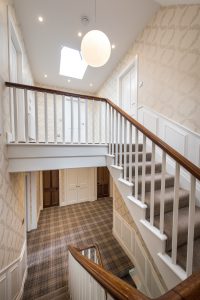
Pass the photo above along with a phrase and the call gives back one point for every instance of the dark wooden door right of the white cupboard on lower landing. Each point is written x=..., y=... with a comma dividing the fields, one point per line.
x=102, y=182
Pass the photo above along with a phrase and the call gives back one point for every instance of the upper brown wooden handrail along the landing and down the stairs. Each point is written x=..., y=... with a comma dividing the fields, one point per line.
x=178, y=157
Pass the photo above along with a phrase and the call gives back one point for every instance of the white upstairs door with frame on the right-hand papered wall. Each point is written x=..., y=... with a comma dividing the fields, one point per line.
x=128, y=89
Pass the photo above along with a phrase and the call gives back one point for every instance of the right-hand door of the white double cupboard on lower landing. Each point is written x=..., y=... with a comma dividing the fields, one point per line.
x=83, y=184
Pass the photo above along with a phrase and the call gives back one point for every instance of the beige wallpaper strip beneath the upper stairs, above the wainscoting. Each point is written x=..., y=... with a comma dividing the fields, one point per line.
x=120, y=207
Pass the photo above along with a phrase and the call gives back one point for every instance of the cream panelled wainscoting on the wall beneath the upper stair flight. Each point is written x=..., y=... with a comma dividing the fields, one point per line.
x=132, y=246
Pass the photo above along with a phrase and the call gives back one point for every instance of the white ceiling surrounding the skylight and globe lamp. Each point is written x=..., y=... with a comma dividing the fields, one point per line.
x=121, y=20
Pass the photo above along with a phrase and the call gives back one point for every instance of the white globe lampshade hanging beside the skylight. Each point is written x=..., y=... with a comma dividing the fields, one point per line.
x=95, y=48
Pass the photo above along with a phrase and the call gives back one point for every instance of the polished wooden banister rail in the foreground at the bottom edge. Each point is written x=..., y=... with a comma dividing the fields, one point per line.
x=120, y=290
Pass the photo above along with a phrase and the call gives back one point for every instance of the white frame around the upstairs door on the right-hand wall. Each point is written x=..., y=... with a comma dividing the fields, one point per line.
x=133, y=63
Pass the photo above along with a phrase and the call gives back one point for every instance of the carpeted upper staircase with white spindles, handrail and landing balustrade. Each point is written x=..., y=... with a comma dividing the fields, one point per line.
x=159, y=185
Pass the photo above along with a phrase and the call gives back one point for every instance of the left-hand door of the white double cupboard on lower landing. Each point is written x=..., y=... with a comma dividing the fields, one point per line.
x=72, y=186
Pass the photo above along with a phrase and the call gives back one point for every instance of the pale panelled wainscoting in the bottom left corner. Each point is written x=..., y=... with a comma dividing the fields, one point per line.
x=13, y=277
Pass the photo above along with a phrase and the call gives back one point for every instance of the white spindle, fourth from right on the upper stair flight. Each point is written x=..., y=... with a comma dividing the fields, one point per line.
x=152, y=185
